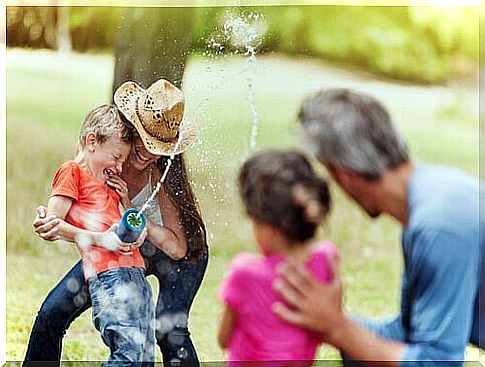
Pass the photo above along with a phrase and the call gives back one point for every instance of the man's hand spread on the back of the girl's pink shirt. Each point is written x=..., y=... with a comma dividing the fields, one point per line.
x=315, y=306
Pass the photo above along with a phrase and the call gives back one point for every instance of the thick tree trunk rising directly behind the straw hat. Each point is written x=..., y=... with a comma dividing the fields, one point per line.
x=153, y=43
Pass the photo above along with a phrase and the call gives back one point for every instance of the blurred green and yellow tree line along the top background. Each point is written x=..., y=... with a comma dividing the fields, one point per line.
x=419, y=44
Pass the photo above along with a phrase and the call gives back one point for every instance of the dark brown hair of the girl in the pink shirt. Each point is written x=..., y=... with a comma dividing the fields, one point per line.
x=281, y=189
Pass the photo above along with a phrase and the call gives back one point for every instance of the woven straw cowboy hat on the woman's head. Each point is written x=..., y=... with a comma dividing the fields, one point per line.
x=158, y=115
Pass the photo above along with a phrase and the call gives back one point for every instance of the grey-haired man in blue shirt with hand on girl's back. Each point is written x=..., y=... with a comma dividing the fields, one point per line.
x=353, y=136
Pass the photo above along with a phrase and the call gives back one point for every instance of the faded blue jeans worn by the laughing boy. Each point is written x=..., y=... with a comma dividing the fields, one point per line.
x=123, y=311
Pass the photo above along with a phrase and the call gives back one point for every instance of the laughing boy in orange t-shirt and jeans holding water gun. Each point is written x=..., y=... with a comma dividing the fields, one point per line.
x=88, y=210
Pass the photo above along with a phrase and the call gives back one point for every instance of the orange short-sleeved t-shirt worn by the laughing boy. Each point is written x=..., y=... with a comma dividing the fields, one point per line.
x=95, y=208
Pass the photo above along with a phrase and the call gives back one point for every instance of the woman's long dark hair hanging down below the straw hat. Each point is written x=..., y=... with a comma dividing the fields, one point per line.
x=180, y=192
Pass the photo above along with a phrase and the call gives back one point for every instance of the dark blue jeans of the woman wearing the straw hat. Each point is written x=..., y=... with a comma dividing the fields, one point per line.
x=178, y=282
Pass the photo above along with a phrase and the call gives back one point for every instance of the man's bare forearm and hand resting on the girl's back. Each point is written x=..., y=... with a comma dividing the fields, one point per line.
x=318, y=307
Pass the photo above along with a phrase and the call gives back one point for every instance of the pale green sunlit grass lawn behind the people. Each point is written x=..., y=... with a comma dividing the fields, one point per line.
x=49, y=94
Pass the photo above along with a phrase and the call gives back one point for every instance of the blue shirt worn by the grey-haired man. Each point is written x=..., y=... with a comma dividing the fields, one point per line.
x=443, y=253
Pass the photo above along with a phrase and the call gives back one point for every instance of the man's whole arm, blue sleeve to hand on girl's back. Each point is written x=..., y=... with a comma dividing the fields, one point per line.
x=444, y=278
